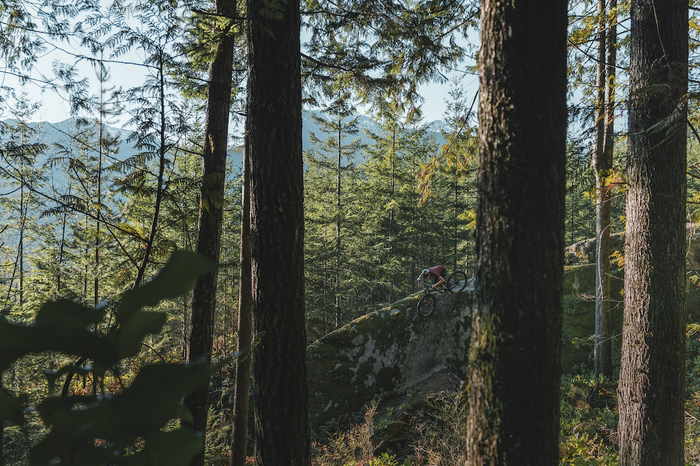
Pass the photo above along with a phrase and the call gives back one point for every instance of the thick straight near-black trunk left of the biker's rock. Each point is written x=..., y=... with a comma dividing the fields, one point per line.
x=273, y=128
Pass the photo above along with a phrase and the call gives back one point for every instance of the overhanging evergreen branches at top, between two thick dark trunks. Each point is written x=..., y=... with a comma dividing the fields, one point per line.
x=387, y=49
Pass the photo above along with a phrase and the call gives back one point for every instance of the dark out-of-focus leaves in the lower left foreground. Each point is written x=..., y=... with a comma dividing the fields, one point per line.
x=130, y=425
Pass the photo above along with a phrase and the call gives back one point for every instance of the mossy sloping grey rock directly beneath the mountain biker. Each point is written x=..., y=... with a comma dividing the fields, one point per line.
x=387, y=352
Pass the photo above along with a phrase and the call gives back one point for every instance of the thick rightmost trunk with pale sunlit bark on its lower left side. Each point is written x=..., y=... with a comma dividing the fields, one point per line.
x=651, y=387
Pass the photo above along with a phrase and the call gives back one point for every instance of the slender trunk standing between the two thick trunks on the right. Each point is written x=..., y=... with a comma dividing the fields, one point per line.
x=602, y=165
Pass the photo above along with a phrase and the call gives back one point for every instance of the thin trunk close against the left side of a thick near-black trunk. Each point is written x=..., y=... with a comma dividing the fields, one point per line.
x=245, y=331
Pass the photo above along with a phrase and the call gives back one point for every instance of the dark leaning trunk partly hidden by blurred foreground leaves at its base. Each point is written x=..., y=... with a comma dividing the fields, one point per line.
x=211, y=208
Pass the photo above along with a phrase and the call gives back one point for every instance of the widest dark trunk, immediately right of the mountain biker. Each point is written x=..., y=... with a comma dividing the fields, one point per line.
x=514, y=362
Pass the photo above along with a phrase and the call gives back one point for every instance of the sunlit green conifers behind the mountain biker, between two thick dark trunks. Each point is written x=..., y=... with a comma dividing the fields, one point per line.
x=365, y=247
